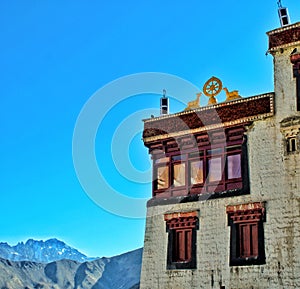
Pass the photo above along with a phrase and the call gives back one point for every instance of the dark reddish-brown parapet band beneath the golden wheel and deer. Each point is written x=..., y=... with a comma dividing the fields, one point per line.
x=205, y=119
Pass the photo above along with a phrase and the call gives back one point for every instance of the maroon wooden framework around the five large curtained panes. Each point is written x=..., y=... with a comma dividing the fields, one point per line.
x=205, y=155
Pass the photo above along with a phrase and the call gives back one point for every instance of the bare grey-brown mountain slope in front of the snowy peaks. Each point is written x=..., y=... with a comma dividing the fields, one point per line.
x=119, y=272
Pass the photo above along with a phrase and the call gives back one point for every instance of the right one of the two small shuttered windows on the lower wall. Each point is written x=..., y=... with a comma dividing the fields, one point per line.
x=246, y=234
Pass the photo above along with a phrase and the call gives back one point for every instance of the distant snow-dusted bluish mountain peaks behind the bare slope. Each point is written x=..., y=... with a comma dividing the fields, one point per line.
x=41, y=251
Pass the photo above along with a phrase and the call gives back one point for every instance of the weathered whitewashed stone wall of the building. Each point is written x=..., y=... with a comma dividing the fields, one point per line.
x=274, y=179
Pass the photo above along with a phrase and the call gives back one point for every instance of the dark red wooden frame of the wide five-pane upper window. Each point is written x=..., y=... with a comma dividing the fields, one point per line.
x=188, y=156
